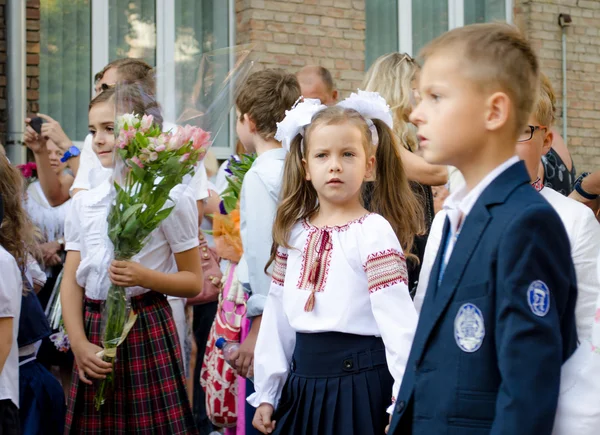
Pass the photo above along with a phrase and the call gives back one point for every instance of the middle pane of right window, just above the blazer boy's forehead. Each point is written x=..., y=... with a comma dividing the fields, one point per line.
x=430, y=20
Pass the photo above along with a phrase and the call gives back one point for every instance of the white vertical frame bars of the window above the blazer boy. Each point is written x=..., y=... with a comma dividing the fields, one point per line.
x=456, y=18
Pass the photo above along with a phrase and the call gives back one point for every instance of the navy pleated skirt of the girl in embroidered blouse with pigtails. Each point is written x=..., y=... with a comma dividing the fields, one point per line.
x=338, y=384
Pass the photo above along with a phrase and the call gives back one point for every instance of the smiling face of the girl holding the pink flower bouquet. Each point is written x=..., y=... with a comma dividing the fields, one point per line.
x=102, y=127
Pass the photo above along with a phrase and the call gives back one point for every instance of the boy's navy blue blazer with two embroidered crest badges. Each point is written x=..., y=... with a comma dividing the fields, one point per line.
x=495, y=330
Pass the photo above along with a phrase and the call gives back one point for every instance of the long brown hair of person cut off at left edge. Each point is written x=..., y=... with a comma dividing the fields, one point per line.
x=17, y=232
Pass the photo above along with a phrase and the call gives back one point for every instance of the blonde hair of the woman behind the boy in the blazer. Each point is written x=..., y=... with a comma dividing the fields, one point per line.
x=392, y=75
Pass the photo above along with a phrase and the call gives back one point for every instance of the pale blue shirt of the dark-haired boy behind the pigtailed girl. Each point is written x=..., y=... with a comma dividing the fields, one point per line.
x=258, y=206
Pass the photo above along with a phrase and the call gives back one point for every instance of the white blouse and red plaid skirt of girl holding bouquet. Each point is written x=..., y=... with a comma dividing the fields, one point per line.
x=149, y=394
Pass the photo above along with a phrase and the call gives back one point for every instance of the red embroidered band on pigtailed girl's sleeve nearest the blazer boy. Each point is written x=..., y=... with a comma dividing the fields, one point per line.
x=385, y=268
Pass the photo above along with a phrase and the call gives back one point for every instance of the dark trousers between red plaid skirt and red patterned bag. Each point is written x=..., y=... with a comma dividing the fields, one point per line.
x=204, y=316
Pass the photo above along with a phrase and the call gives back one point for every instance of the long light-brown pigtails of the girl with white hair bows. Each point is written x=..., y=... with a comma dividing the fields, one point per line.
x=392, y=196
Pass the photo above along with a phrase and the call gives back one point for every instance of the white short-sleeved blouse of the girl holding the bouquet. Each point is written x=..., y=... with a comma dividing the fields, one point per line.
x=86, y=231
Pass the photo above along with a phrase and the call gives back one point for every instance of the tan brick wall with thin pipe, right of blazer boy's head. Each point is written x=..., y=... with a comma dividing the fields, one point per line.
x=539, y=19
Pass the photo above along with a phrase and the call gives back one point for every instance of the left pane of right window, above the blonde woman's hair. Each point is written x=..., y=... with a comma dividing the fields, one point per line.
x=382, y=29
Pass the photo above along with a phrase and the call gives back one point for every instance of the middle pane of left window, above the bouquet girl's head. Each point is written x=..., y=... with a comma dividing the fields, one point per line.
x=132, y=29
